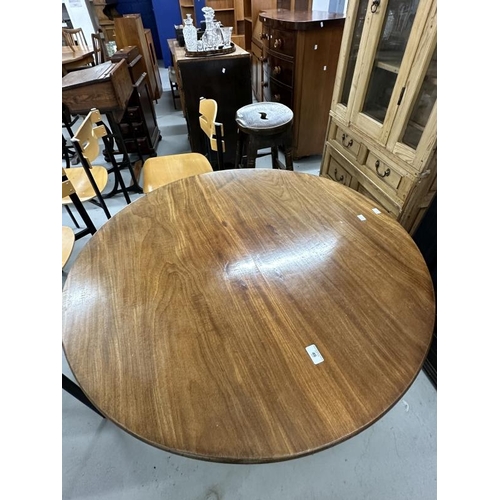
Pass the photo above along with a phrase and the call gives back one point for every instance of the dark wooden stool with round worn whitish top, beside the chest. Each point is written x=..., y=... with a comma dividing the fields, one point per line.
x=263, y=125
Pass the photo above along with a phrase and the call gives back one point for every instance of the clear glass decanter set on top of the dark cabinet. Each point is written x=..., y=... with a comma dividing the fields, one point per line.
x=215, y=36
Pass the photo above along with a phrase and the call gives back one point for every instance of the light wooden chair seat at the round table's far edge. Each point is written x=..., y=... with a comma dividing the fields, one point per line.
x=161, y=170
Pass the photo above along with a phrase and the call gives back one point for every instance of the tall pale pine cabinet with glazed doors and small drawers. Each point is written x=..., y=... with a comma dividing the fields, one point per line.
x=381, y=138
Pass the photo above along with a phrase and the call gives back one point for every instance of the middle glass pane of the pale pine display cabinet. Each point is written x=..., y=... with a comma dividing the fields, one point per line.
x=398, y=22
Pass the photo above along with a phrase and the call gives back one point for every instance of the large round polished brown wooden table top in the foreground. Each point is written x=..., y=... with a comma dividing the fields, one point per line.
x=186, y=317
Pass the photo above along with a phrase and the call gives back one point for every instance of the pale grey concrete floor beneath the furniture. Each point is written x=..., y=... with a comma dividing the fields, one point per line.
x=394, y=459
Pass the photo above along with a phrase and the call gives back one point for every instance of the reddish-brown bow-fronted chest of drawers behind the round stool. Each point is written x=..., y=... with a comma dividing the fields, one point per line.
x=301, y=51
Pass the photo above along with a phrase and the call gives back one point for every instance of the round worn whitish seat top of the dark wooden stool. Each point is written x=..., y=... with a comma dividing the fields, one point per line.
x=264, y=117
